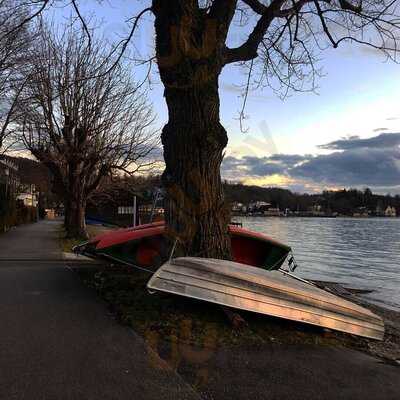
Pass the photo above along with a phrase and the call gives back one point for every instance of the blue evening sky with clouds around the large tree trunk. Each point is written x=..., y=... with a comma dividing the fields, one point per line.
x=345, y=134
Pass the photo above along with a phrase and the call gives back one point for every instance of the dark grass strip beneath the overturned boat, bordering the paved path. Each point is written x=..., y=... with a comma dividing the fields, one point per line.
x=174, y=319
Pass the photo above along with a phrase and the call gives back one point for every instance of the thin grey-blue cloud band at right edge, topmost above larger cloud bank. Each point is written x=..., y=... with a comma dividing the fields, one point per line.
x=384, y=140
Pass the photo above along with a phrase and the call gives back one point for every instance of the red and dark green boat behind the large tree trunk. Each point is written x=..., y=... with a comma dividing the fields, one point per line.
x=146, y=246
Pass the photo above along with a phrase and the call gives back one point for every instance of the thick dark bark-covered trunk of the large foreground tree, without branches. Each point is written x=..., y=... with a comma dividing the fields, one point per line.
x=189, y=48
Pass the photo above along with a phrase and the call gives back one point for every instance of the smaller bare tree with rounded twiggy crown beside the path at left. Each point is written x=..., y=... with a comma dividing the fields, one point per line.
x=81, y=119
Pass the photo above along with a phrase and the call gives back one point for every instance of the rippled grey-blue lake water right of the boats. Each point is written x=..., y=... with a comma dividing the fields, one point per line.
x=360, y=253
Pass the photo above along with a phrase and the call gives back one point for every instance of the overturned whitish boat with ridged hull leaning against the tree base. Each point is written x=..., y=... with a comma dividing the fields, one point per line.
x=267, y=292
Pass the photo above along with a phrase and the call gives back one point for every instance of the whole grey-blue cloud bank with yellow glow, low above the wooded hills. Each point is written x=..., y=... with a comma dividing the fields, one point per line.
x=357, y=162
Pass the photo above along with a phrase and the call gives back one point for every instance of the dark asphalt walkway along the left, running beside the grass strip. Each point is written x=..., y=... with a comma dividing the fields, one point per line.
x=57, y=340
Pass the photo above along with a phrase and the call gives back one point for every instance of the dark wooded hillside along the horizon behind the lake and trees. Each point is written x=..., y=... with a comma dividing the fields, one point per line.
x=344, y=201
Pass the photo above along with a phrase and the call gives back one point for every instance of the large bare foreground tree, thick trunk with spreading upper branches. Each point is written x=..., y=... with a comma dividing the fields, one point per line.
x=281, y=37
